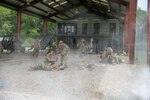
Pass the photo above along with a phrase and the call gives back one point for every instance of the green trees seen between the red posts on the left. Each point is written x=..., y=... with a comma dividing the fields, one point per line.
x=31, y=27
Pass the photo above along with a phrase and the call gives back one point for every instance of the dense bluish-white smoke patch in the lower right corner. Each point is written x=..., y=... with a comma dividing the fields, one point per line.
x=141, y=85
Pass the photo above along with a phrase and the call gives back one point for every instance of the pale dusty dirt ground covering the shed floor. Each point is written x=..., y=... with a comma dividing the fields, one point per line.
x=84, y=79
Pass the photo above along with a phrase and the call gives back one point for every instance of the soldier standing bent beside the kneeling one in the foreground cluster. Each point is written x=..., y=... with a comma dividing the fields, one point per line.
x=63, y=50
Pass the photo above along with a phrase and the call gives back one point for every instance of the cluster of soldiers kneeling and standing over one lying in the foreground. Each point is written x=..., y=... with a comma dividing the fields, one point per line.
x=55, y=59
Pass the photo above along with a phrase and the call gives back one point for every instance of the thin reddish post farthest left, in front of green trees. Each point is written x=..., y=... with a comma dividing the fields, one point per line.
x=18, y=24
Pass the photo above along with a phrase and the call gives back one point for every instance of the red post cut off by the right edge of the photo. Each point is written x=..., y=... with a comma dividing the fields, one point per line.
x=148, y=35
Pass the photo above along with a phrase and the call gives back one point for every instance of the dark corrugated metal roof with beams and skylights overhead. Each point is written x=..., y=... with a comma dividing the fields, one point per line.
x=68, y=9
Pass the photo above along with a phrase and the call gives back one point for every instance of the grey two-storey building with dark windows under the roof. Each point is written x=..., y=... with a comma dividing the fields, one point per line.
x=98, y=32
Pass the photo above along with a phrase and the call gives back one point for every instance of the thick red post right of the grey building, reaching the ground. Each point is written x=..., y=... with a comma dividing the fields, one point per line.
x=132, y=17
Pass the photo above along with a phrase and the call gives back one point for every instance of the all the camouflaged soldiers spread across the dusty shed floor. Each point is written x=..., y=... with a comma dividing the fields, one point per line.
x=57, y=59
